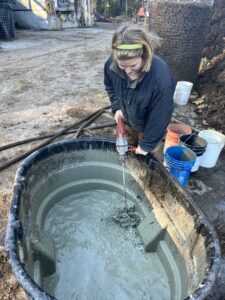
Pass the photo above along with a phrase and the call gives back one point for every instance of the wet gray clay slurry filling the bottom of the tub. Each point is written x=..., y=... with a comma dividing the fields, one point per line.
x=95, y=257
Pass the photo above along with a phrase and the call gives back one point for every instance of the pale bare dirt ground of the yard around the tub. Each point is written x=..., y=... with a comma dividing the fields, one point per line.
x=48, y=80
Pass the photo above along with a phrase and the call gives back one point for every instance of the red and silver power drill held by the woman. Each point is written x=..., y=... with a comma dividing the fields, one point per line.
x=121, y=139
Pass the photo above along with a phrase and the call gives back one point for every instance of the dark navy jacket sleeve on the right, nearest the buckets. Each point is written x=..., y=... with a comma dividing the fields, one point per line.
x=157, y=119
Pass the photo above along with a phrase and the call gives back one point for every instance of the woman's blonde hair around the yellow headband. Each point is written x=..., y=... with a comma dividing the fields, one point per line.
x=134, y=35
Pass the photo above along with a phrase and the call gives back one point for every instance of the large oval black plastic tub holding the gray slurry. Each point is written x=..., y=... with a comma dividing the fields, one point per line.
x=71, y=166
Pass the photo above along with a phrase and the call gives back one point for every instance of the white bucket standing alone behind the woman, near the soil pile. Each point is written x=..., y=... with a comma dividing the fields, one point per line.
x=182, y=92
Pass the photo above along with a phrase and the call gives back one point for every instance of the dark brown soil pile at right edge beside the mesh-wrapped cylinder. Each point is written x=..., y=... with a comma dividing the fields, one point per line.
x=211, y=79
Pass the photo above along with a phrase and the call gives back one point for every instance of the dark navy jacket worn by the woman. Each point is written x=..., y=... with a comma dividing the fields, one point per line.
x=146, y=103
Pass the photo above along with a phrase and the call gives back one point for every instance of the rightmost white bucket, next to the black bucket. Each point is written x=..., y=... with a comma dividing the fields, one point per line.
x=215, y=142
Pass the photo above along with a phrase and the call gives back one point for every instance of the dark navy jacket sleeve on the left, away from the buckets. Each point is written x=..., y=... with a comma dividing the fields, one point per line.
x=109, y=88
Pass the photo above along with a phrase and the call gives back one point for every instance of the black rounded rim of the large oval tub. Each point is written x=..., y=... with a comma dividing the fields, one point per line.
x=32, y=289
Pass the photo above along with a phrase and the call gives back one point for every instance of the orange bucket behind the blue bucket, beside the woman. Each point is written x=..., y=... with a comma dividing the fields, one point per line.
x=174, y=131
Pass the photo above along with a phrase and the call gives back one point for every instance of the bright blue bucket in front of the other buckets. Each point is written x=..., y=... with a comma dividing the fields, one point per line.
x=180, y=161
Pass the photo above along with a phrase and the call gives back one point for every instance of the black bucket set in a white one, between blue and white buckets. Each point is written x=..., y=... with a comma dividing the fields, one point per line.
x=197, y=145
